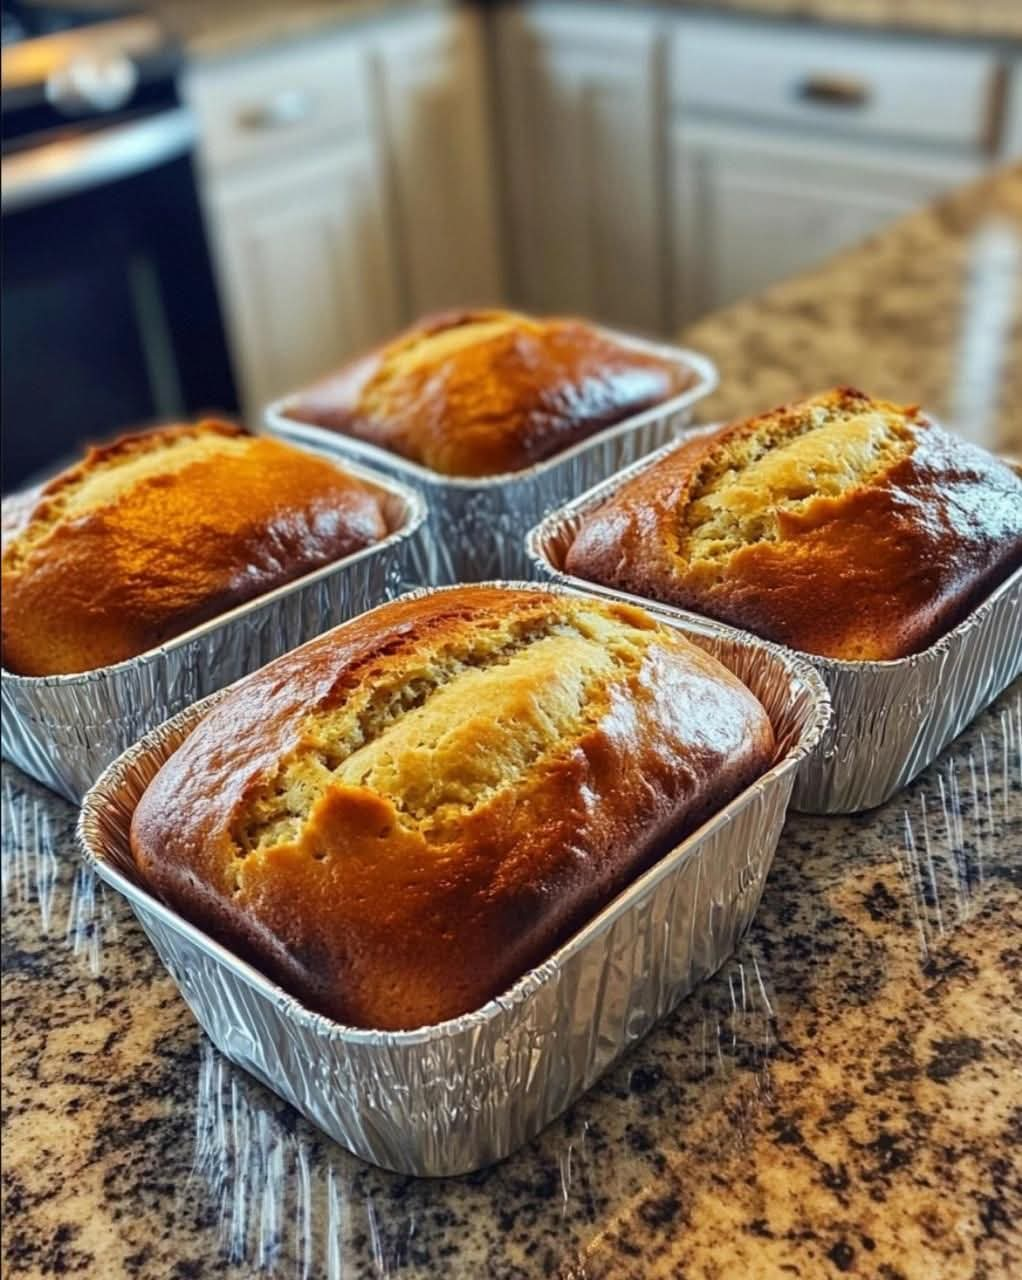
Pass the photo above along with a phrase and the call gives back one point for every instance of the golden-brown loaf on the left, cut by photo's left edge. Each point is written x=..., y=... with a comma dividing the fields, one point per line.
x=157, y=533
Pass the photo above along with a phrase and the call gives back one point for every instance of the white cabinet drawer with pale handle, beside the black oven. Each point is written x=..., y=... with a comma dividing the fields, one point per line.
x=273, y=103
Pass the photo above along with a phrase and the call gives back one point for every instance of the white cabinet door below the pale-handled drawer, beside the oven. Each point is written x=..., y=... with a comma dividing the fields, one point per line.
x=304, y=268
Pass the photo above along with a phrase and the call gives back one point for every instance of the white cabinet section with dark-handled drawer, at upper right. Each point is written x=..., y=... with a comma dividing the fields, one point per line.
x=790, y=144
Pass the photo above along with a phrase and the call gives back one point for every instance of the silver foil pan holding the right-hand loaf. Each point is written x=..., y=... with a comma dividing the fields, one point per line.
x=891, y=719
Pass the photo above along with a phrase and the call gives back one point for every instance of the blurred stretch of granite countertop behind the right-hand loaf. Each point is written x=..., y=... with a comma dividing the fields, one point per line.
x=929, y=310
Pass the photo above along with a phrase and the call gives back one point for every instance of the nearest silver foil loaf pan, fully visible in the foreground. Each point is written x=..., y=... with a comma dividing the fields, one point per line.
x=464, y=1094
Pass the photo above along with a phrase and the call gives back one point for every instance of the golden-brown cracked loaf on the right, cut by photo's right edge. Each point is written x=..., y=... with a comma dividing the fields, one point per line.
x=842, y=527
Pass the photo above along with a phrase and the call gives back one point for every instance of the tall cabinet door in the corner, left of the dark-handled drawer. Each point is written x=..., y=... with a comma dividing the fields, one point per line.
x=580, y=106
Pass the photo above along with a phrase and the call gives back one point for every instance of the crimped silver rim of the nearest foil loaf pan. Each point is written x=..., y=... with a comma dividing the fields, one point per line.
x=523, y=989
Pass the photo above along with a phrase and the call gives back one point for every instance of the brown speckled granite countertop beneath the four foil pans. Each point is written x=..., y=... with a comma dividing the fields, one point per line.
x=845, y=1098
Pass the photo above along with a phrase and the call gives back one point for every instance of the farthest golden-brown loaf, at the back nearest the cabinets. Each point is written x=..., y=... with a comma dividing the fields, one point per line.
x=480, y=394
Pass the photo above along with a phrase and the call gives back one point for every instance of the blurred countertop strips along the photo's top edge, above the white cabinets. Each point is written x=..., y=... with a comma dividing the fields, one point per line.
x=218, y=29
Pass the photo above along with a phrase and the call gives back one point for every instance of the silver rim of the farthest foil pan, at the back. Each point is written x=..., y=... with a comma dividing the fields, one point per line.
x=280, y=423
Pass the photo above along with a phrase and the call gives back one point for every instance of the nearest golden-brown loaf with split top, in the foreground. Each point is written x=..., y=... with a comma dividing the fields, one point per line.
x=400, y=819
